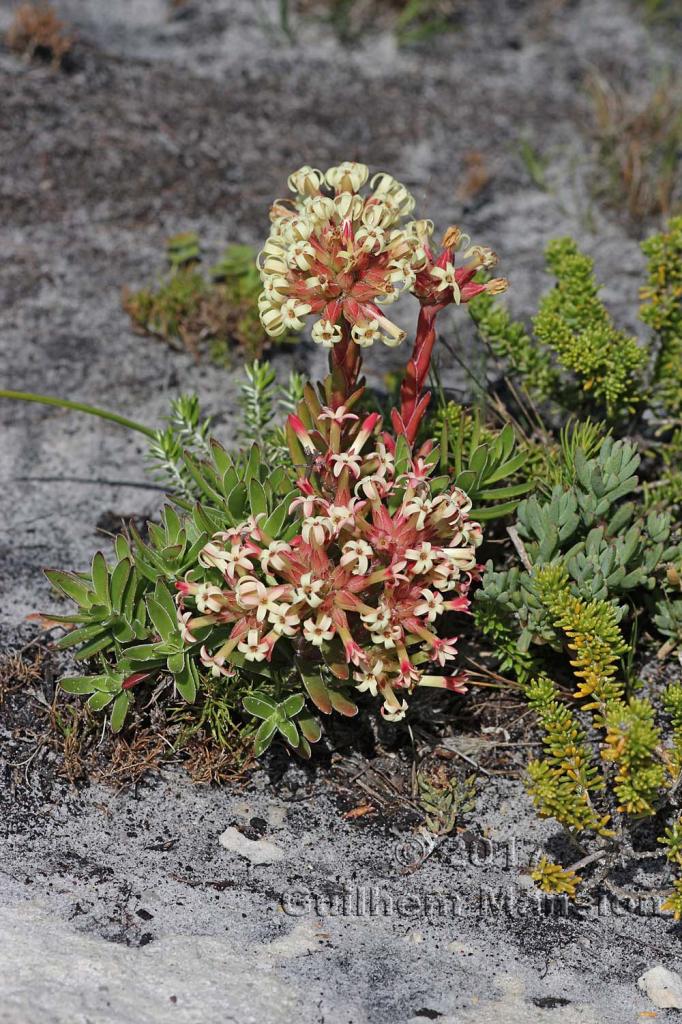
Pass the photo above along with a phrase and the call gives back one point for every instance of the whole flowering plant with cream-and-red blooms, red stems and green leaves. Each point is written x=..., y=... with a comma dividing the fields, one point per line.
x=340, y=572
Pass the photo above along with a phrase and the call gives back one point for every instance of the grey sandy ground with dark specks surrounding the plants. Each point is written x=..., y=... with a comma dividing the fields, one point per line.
x=125, y=907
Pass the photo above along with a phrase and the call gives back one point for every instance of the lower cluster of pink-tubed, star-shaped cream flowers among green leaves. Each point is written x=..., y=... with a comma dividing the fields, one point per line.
x=382, y=552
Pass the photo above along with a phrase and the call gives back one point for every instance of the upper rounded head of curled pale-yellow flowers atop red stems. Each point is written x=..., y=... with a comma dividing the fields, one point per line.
x=340, y=257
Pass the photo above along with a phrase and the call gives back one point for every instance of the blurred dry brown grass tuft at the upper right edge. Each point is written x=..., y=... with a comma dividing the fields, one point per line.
x=640, y=141
